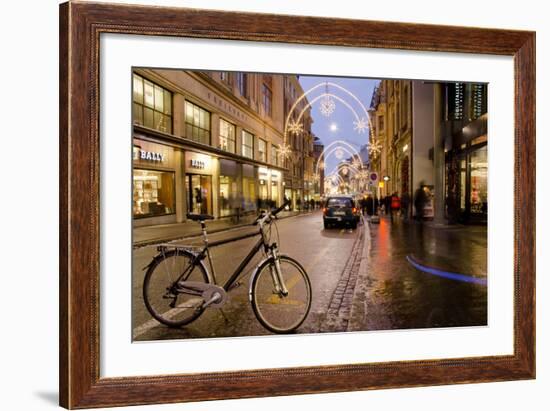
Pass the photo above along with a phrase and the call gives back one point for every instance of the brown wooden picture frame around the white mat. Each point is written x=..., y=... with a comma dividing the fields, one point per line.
x=80, y=27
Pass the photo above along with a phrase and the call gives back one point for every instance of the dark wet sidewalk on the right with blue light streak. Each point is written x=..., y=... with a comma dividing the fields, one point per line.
x=399, y=296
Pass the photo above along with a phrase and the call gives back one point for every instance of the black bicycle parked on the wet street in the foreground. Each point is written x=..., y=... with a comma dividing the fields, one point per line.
x=178, y=287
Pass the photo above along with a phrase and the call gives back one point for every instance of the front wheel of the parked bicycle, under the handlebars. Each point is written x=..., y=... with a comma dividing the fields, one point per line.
x=277, y=312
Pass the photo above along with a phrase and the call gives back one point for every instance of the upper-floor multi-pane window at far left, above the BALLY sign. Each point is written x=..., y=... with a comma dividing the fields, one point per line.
x=152, y=105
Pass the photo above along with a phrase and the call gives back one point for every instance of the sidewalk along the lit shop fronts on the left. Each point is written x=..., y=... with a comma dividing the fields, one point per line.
x=148, y=235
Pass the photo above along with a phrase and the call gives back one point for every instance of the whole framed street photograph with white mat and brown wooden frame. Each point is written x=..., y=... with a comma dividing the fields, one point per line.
x=257, y=205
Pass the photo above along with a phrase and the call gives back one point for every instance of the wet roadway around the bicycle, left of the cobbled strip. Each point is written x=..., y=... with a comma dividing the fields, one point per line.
x=323, y=253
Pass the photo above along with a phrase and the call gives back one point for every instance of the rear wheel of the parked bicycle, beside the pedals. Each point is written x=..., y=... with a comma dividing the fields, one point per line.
x=165, y=303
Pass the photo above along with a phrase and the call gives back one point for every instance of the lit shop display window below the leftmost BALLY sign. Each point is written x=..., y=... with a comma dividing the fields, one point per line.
x=153, y=193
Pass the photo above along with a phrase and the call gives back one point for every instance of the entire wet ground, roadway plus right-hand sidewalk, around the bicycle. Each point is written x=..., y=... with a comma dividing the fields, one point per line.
x=361, y=279
